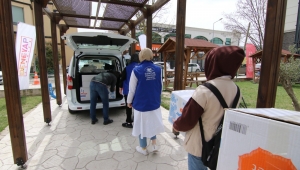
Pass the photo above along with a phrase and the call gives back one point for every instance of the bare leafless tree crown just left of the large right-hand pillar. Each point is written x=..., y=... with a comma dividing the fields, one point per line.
x=249, y=11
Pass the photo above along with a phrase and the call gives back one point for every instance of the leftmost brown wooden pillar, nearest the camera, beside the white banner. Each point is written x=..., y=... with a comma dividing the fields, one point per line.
x=11, y=85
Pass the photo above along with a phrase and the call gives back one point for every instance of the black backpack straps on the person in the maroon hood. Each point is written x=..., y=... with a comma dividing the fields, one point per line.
x=217, y=93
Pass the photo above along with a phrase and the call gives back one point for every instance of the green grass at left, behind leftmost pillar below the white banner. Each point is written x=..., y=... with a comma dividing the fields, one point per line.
x=28, y=103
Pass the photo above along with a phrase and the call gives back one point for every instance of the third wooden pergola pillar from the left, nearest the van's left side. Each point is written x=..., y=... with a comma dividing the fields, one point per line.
x=55, y=21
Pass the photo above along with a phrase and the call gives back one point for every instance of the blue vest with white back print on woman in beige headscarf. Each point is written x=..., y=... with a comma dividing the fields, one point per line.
x=149, y=87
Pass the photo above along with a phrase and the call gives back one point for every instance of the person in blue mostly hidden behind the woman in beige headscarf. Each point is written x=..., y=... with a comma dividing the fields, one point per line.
x=124, y=87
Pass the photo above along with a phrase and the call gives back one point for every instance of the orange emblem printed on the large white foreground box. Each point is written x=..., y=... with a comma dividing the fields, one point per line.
x=260, y=159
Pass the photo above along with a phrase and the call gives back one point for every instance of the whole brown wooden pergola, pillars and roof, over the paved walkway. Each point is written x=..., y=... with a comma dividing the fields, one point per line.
x=76, y=13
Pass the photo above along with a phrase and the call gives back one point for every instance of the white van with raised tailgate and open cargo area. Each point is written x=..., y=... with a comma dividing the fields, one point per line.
x=92, y=51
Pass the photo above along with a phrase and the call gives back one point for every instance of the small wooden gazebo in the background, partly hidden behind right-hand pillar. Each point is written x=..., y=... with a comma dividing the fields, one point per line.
x=257, y=58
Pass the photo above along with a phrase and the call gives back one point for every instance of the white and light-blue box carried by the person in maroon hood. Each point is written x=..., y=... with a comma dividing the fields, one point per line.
x=178, y=100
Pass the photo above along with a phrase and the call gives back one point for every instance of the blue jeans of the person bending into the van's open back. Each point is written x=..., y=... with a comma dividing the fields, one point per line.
x=98, y=89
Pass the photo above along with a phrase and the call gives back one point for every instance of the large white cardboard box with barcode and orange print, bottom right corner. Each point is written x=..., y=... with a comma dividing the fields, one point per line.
x=262, y=139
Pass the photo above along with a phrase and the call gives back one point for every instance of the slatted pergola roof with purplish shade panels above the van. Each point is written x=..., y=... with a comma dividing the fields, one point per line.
x=118, y=15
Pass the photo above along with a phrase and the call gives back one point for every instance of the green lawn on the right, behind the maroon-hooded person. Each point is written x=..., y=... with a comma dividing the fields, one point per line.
x=249, y=91
